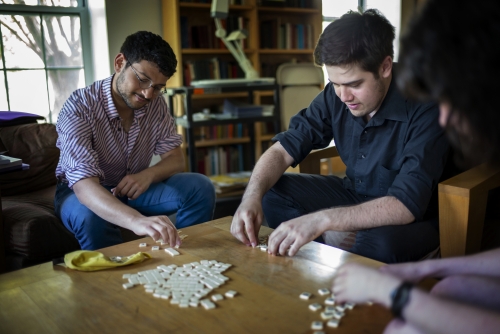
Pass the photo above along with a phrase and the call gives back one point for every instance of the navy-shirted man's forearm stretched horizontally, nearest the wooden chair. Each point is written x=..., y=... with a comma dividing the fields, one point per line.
x=378, y=212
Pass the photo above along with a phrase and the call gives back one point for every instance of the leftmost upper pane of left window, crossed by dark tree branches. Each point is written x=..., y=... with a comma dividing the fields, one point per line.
x=22, y=41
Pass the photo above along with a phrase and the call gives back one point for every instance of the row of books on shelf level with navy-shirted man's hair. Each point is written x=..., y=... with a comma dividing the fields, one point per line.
x=277, y=35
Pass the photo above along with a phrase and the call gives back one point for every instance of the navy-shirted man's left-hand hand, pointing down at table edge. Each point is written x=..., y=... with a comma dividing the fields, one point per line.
x=247, y=221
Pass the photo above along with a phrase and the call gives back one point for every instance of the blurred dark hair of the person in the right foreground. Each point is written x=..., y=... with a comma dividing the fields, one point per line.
x=451, y=54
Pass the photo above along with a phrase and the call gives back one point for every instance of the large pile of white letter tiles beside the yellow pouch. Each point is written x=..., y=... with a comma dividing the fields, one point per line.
x=184, y=285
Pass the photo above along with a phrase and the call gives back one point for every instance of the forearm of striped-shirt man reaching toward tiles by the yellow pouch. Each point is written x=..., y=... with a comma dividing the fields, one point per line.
x=100, y=201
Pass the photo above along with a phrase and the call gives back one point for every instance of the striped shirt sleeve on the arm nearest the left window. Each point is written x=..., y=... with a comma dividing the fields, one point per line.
x=78, y=160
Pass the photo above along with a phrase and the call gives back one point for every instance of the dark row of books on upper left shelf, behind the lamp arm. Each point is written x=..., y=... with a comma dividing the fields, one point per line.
x=203, y=36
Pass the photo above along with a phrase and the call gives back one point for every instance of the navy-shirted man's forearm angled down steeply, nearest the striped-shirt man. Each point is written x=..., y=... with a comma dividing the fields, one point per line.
x=267, y=171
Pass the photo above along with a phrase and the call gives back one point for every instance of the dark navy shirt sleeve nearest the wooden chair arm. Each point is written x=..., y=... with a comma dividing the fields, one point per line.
x=424, y=157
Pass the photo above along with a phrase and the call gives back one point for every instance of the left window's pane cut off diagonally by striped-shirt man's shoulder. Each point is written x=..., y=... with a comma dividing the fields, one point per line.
x=61, y=84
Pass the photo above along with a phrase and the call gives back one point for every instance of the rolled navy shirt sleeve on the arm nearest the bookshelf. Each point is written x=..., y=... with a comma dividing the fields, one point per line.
x=309, y=129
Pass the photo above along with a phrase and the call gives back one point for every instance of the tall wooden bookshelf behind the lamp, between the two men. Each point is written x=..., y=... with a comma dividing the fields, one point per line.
x=201, y=58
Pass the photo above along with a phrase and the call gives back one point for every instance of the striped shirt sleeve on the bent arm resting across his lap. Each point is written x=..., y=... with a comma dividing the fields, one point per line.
x=168, y=136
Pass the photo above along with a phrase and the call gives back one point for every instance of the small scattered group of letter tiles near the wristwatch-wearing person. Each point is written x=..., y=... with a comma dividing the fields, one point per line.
x=332, y=312
